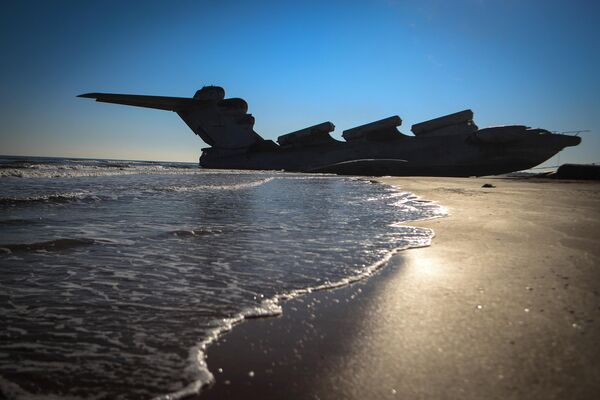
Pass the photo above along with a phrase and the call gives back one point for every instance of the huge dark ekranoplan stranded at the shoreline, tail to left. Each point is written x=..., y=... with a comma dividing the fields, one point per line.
x=451, y=145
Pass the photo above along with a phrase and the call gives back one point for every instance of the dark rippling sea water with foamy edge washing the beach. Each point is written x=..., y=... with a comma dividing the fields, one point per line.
x=116, y=275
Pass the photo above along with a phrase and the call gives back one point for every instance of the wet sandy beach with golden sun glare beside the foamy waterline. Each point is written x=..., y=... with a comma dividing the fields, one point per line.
x=504, y=304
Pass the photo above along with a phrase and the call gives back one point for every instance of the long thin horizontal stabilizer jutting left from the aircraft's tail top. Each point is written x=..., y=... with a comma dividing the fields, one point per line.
x=160, y=102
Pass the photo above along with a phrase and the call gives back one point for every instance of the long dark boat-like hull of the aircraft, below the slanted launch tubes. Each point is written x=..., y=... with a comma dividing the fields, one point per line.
x=452, y=155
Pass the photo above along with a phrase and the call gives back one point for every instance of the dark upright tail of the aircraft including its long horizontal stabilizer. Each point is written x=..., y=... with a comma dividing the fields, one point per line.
x=221, y=123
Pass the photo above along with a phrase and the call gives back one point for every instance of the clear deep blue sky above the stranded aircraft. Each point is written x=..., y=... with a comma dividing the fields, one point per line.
x=297, y=63
